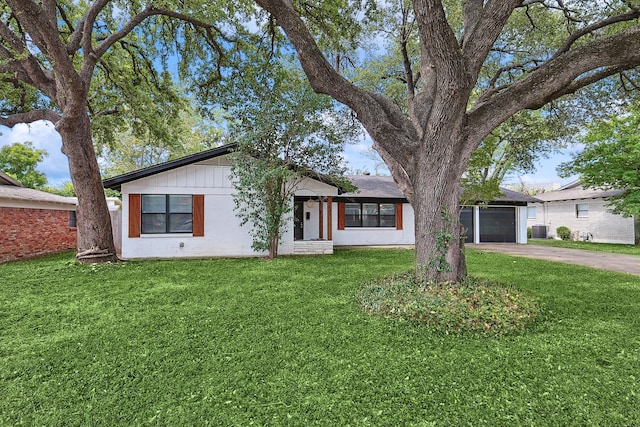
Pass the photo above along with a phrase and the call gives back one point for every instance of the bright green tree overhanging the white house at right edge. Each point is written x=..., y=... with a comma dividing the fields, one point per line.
x=611, y=160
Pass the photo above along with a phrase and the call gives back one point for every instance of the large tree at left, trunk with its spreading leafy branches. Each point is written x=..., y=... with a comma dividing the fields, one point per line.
x=94, y=68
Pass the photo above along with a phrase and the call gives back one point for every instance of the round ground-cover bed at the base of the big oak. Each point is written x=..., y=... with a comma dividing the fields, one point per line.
x=470, y=306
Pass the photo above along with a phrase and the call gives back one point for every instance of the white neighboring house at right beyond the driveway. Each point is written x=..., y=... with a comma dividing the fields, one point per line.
x=586, y=214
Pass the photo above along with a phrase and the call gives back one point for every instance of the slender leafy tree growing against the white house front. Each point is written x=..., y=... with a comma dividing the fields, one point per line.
x=286, y=132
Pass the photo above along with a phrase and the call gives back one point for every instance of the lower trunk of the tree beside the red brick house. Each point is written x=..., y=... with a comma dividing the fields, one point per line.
x=95, y=236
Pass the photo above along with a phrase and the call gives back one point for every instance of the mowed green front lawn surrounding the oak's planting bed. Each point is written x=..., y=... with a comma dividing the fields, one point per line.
x=244, y=341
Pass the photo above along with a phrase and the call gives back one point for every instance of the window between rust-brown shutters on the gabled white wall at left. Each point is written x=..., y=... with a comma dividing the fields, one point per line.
x=167, y=213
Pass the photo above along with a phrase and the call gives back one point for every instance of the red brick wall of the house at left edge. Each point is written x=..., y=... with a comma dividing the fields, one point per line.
x=26, y=233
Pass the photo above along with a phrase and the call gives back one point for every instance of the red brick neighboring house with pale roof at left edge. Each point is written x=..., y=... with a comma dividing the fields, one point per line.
x=33, y=222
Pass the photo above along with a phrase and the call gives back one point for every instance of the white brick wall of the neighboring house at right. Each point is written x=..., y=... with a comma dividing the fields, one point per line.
x=603, y=225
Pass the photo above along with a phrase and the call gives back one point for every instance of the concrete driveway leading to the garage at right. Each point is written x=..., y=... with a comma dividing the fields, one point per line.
x=602, y=260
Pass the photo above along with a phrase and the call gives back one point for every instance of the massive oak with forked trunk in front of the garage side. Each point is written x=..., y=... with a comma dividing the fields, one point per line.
x=456, y=95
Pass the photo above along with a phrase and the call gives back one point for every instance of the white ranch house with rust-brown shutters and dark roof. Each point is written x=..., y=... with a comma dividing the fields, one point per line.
x=184, y=208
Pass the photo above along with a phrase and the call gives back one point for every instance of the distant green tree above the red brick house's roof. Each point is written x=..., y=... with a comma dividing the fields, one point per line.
x=20, y=160
